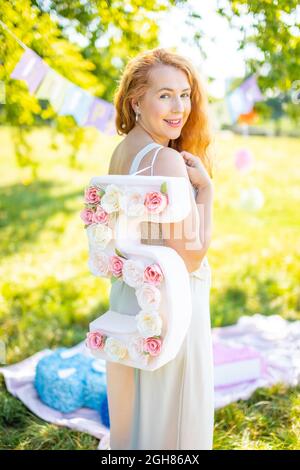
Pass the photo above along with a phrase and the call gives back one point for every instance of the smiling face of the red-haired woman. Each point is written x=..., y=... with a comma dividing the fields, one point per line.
x=167, y=98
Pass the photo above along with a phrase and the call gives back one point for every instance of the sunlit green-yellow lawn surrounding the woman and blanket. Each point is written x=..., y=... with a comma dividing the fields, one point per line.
x=48, y=297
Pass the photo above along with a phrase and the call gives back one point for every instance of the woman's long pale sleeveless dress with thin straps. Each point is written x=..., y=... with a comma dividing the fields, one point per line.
x=172, y=407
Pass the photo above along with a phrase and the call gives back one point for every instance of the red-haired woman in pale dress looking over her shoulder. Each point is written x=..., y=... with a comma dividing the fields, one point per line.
x=160, y=100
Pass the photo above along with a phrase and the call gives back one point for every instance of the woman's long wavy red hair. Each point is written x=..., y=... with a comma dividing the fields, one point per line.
x=195, y=136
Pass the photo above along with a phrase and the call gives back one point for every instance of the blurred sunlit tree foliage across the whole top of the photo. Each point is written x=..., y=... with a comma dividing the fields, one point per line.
x=90, y=42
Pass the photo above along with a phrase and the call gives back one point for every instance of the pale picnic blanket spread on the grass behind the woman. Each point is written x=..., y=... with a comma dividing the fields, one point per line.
x=276, y=339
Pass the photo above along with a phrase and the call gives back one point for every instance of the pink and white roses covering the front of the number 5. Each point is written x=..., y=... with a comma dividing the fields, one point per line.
x=102, y=205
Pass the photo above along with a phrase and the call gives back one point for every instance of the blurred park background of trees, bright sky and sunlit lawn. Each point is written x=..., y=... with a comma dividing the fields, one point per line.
x=47, y=294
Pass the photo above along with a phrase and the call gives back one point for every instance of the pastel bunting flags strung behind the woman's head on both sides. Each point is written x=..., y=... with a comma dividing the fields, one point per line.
x=67, y=98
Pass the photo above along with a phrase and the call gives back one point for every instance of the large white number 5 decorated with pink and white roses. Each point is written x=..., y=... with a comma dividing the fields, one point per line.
x=115, y=207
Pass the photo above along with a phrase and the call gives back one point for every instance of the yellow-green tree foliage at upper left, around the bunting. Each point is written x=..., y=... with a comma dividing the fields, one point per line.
x=110, y=32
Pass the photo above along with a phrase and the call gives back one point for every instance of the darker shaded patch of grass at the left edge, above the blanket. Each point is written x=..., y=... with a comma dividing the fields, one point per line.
x=24, y=210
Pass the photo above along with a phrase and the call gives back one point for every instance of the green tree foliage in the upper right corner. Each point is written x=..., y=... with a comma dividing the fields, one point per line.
x=274, y=31
